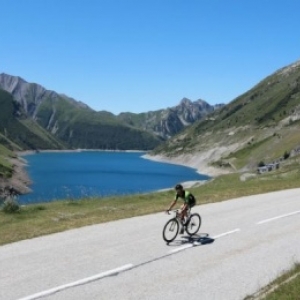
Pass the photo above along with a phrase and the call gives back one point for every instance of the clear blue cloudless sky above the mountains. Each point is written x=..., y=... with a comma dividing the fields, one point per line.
x=142, y=55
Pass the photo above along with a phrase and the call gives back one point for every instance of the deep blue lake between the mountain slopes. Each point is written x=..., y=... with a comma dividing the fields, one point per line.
x=73, y=175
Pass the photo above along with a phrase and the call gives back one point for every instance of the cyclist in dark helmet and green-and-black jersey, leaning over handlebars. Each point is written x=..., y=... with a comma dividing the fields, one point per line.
x=188, y=202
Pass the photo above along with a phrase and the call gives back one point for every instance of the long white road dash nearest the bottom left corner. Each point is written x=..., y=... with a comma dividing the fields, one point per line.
x=78, y=282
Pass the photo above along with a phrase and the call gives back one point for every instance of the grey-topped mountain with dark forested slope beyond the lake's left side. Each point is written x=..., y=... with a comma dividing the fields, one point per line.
x=73, y=122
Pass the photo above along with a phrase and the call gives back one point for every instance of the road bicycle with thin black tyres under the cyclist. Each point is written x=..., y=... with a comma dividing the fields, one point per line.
x=191, y=225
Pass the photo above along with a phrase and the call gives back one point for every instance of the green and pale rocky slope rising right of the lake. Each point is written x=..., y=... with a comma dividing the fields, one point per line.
x=260, y=125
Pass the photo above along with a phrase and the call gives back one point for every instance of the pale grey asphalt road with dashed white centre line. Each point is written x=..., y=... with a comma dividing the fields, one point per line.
x=250, y=241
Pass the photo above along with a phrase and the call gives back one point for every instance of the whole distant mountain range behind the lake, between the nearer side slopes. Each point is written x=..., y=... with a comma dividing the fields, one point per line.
x=79, y=126
